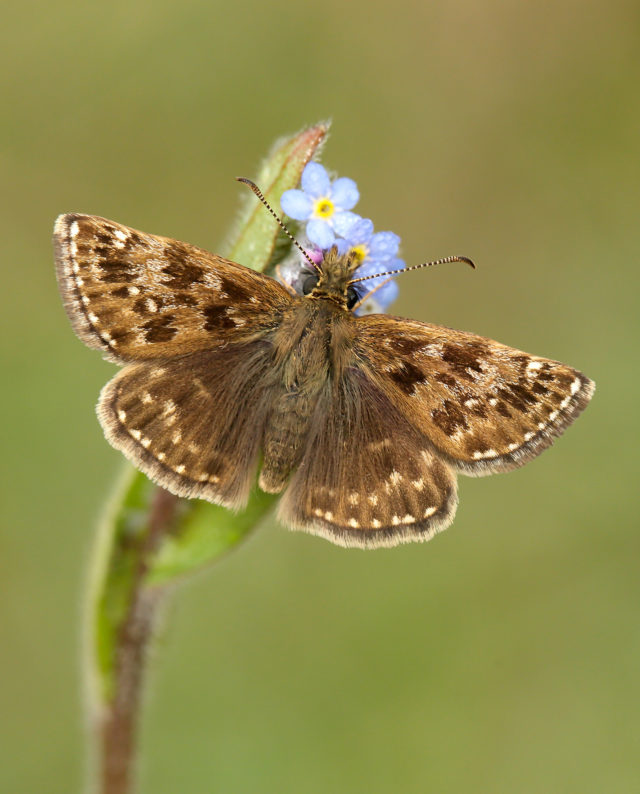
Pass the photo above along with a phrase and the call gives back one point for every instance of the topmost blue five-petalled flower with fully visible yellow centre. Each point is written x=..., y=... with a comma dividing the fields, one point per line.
x=323, y=204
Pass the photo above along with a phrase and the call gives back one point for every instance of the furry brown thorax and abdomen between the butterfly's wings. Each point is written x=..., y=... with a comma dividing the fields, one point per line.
x=311, y=350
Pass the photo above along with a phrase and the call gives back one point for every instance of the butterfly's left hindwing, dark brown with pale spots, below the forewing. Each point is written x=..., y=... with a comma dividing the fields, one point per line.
x=195, y=423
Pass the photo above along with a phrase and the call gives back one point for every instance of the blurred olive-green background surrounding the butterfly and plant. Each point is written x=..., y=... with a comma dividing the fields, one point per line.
x=501, y=657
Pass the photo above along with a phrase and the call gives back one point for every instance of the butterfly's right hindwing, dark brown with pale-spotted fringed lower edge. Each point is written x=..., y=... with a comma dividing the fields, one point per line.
x=368, y=477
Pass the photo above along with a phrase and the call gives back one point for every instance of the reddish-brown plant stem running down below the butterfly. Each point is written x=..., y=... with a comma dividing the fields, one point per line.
x=117, y=728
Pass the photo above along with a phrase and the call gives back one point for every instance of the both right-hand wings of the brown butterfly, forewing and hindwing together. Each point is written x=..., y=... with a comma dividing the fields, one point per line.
x=420, y=402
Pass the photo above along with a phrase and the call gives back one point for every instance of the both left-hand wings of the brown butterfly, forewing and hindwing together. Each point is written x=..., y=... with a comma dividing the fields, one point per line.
x=189, y=409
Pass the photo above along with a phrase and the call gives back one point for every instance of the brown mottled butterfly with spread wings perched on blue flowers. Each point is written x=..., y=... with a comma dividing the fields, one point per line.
x=362, y=422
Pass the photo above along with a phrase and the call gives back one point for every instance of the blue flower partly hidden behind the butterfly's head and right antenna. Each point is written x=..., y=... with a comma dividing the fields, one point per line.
x=377, y=254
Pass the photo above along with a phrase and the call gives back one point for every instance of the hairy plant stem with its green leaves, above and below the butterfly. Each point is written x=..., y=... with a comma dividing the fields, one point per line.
x=151, y=538
